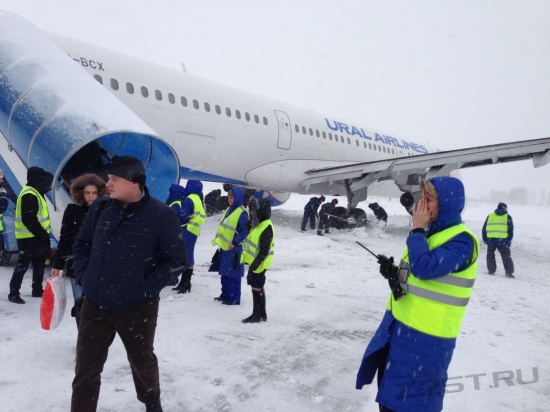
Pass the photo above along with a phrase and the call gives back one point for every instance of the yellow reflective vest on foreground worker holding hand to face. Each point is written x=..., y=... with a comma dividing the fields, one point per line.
x=436, y=306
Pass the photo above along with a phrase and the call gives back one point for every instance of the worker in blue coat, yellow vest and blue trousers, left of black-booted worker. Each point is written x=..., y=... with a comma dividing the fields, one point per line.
x=231, y=233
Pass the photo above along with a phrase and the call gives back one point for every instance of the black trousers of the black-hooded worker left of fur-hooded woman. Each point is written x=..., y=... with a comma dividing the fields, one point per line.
x=33, y=251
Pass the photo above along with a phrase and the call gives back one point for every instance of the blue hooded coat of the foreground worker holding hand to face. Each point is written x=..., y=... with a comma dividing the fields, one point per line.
x=416, y=364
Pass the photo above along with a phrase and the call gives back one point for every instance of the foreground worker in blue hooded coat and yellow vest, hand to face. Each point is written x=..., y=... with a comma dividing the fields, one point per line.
x=413, y=346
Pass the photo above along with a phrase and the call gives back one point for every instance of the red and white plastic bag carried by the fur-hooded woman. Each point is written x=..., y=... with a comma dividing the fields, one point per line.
x=53, y=303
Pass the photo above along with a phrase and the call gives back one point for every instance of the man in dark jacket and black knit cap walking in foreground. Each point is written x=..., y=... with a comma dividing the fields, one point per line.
x=130, y=246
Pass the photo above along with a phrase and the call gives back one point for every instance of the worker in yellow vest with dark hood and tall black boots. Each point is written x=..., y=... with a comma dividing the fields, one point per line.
x=258, y=250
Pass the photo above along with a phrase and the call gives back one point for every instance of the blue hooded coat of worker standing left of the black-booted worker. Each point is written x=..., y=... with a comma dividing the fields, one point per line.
x=228, y=262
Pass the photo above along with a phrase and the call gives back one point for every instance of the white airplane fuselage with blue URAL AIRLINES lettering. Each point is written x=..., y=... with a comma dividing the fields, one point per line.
x=226, y=133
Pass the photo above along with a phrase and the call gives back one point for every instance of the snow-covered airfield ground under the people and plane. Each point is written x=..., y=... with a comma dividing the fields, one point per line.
x=324, y=302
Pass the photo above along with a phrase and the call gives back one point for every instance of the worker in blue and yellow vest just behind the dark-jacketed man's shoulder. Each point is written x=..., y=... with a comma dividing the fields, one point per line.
x=190, y=209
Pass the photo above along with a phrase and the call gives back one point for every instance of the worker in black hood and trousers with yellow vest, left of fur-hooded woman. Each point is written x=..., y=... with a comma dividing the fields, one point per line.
x=32, y=231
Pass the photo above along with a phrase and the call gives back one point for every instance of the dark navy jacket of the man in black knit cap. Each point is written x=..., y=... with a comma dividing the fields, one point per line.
x=131, y=255
